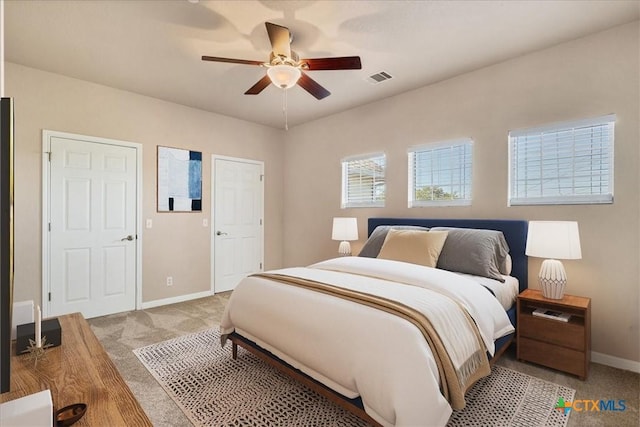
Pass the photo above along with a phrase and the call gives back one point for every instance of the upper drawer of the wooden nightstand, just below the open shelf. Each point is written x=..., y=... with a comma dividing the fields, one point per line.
x=566, y=334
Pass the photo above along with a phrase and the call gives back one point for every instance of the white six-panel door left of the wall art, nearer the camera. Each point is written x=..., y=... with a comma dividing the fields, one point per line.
x=92, y=237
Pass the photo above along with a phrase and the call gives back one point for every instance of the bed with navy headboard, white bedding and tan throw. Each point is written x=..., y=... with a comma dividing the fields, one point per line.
x=372, y=332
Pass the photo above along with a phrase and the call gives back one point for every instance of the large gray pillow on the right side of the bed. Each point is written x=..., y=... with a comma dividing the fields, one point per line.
x=473, y=251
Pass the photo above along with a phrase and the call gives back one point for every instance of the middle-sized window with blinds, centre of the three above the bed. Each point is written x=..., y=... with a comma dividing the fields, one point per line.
x=440, y=173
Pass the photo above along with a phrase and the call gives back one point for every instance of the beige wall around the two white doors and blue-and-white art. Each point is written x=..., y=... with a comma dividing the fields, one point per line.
x=177, y=245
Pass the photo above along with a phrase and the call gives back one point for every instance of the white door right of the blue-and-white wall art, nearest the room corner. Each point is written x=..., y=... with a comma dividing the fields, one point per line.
x=237, y=231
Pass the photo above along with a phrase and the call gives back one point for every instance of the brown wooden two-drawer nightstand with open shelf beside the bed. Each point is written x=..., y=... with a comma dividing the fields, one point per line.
x=565, y=346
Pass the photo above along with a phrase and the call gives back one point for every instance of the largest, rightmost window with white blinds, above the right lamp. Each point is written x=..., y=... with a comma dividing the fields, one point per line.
x=566, y=163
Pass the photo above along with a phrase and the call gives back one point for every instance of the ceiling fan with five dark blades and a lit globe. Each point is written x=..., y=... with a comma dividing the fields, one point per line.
x=285, y=69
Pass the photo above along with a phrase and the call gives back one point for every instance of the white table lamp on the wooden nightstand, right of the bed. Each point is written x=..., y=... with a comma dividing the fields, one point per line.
x=553, y=240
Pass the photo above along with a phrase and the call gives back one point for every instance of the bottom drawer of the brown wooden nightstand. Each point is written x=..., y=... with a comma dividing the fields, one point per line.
x=560, y=358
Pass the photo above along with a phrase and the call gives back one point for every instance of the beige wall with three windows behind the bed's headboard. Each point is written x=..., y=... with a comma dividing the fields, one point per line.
x=593, y=76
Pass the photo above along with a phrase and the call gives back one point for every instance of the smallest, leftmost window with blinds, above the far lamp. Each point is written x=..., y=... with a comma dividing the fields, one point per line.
x=363, y=183
